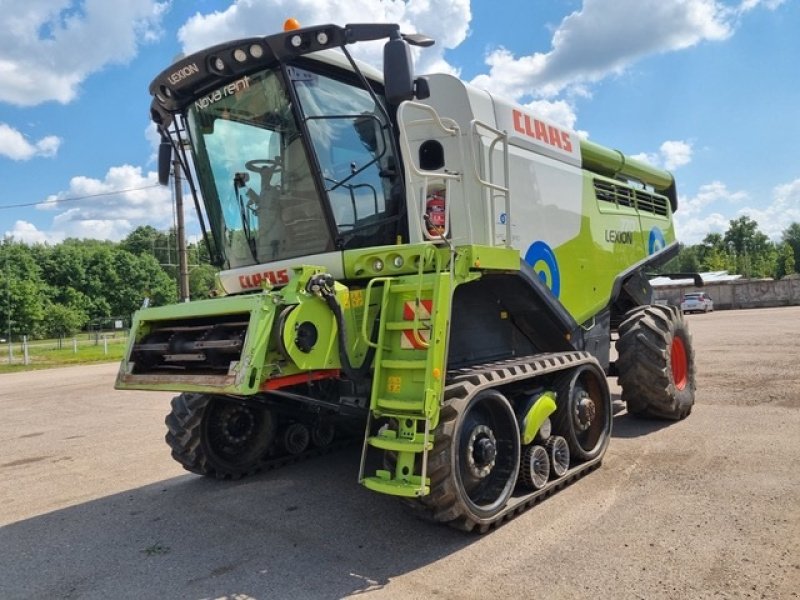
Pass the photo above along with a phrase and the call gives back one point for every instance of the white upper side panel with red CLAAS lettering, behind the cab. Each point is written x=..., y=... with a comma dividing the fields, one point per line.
x=544, y=174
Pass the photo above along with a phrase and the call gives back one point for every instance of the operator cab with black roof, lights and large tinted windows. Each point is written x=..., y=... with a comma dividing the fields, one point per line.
x=293, y=156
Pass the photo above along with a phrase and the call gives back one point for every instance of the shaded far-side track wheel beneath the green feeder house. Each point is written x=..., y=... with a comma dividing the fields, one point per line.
x=218, y=436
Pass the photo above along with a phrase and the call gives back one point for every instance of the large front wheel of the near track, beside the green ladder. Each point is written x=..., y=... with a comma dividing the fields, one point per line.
x=475, y=460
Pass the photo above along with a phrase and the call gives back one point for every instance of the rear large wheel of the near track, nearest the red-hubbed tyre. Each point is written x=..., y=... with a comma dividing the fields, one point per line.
x=583, y=416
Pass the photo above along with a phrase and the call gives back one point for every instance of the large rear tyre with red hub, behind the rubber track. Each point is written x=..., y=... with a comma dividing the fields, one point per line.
x=656, y=363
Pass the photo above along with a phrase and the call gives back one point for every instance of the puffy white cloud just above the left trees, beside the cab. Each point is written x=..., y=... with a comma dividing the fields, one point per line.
x=103, y=209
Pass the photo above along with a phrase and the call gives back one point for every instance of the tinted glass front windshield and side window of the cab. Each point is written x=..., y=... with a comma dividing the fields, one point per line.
x=260, y=192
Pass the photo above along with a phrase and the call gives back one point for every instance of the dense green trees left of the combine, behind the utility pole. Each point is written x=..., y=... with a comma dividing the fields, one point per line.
x=58, y=290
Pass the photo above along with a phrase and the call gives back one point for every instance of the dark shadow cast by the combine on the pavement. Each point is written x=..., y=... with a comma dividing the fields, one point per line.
x=305, y=531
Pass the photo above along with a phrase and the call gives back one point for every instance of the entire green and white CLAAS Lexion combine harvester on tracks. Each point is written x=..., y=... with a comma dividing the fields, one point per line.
x=440, y=267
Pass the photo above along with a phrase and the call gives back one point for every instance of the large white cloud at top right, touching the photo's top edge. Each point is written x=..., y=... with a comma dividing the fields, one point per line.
x=605, y=37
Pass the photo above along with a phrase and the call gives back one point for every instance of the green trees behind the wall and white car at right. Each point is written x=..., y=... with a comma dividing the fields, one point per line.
x=742, y=250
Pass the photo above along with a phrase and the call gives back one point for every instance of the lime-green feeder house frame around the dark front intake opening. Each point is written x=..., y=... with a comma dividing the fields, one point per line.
x=266, y=354
